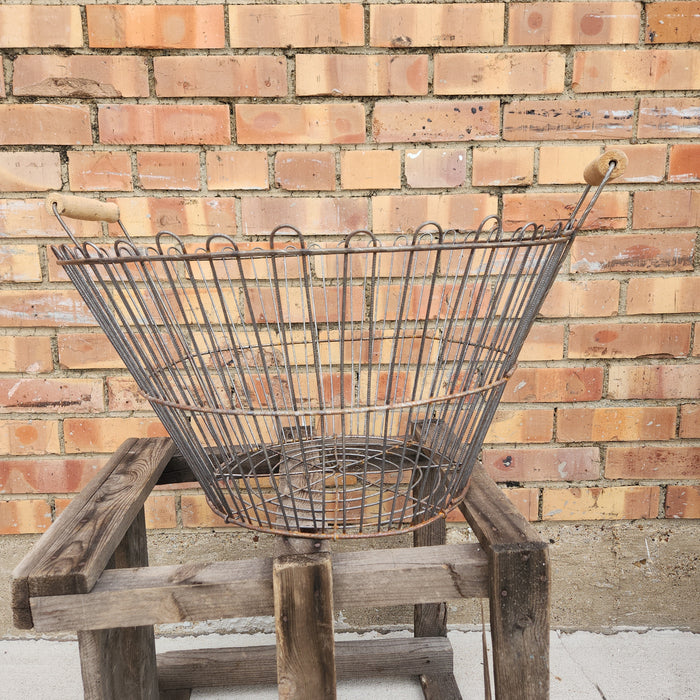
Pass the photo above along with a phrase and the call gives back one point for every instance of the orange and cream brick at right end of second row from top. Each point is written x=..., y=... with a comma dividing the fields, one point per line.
x=625, y=71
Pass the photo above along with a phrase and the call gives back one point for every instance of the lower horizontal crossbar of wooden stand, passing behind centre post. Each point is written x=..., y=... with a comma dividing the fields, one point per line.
x=366, y=658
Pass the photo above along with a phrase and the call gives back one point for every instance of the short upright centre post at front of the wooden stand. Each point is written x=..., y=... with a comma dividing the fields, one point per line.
x=303, y=595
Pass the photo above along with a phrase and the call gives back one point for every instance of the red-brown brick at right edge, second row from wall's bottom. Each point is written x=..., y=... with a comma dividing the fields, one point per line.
x=652, y=462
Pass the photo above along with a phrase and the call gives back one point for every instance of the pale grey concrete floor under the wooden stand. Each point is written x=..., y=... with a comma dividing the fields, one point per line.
x=649, y=665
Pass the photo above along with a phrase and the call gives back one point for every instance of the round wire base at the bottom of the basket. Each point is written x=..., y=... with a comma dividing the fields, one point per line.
x=342, y=487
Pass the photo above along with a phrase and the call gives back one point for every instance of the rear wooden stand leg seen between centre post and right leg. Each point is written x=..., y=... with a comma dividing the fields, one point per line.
x=430, y=620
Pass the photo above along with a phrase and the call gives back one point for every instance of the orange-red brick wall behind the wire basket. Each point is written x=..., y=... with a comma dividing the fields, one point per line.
x=206, y=117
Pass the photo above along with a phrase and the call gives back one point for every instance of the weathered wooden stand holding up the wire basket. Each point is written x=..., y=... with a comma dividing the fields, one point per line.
x=90, y=573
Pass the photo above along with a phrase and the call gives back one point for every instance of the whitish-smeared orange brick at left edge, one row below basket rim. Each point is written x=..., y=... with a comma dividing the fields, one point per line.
x=41, y=308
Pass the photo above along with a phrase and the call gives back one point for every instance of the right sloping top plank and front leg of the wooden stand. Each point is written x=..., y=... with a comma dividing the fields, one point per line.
x=518, y=591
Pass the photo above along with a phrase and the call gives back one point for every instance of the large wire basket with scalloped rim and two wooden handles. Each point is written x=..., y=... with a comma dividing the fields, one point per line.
x=340, y=391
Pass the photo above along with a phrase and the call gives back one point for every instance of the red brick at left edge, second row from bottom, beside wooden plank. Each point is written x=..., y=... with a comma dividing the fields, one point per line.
x=53, y=475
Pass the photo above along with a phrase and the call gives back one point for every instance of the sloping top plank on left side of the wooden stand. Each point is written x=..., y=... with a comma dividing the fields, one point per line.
x=72, y=554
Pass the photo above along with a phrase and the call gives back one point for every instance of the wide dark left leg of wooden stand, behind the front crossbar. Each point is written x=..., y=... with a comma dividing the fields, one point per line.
x=121, y=663
